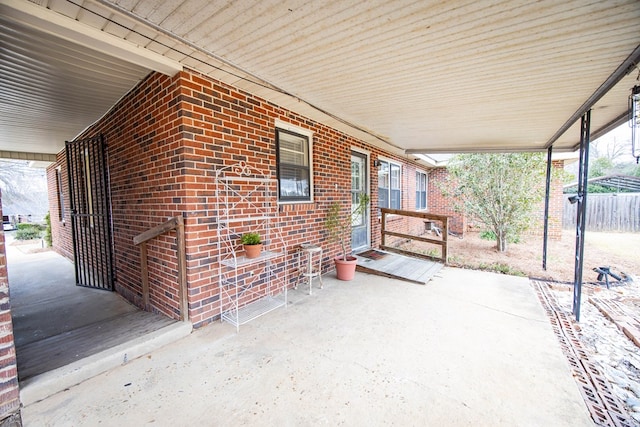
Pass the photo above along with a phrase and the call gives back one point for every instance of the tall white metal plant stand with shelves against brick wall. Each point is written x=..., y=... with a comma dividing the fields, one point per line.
x=247, y=202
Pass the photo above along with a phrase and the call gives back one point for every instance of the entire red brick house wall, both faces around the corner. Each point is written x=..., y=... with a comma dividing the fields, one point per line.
x=165, y=140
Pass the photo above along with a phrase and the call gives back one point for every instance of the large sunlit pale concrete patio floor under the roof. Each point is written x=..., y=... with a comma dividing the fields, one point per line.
x=469, y=348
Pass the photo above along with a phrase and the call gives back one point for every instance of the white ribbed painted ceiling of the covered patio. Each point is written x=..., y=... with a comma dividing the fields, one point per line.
x=410, y=76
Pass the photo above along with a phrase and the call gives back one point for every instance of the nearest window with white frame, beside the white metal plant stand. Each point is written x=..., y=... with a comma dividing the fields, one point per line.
x=293, y=151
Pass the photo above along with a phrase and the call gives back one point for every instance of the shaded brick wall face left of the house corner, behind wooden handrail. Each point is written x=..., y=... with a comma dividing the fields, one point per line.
x=143, y=133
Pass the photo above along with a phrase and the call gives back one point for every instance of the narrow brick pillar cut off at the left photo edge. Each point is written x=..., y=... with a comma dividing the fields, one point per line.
x=9, y=392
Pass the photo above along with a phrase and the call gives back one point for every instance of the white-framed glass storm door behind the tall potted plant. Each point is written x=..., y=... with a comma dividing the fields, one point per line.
x=360, y=225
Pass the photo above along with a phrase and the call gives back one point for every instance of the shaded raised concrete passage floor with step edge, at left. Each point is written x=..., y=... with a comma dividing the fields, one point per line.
x=65, y=334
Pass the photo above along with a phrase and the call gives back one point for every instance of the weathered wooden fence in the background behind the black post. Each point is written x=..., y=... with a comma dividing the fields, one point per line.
x=606, y=212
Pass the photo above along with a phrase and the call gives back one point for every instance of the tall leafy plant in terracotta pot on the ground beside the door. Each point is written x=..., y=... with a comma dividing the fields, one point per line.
x=339, y=228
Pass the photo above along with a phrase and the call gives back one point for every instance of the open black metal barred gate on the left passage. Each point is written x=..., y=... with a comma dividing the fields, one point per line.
x=90, y=212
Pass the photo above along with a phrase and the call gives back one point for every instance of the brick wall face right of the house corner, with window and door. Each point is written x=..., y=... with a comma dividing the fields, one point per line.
x=231, y=126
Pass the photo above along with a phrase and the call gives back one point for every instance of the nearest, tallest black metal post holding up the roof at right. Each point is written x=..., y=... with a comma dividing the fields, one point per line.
x=583, y=174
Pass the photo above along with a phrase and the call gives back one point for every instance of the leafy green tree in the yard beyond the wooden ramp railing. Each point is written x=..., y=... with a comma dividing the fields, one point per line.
x=501, y=191
